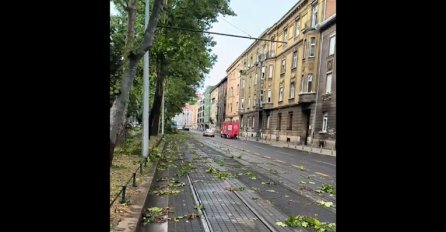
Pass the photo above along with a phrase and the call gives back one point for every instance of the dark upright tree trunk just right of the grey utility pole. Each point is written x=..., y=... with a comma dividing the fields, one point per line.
x=156, y=108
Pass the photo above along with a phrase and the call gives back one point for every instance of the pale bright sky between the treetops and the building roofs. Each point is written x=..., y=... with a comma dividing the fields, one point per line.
x=253, y=17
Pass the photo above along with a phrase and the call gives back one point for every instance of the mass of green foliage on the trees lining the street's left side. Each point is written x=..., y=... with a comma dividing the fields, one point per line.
x=183, y=57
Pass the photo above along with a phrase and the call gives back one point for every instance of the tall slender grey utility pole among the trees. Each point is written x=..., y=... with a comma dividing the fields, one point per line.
x=146, y=137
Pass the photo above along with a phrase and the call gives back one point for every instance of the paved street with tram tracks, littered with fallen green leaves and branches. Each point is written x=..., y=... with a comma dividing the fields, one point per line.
x=253, y=187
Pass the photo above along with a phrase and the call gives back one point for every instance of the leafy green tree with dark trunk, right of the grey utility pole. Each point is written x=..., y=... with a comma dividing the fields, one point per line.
x=181, y=58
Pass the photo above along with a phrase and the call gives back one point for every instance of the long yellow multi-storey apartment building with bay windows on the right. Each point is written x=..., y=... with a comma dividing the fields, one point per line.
x=278, y=78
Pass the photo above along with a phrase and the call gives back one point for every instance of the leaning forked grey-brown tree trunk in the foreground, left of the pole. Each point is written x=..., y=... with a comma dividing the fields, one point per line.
x=121, y=102
